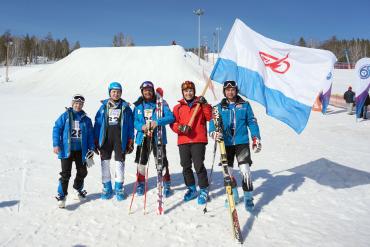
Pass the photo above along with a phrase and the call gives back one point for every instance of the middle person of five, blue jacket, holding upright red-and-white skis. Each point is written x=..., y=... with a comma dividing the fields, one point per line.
x=147, y=103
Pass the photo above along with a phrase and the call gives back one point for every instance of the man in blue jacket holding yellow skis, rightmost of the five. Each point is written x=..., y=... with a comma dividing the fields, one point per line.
x=237, y=117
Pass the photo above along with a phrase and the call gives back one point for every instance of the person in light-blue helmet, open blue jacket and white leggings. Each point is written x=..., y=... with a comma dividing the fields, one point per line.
x=114, y=131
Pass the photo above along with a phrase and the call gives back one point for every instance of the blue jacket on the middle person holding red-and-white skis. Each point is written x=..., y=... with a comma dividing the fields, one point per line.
x=139, y=120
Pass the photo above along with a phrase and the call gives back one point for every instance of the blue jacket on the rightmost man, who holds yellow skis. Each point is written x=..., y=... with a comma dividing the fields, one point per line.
x=238, y=117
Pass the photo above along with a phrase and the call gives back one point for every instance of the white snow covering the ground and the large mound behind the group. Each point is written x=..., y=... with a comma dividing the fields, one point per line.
x=310, y=189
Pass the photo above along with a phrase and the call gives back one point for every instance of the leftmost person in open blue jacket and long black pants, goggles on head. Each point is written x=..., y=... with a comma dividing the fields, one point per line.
x=73, y=139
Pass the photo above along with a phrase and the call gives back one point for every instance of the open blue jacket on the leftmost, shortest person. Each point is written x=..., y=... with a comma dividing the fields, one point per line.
x=62, y=134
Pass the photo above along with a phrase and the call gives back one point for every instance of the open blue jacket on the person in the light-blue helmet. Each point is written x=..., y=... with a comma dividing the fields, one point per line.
x=126, y=124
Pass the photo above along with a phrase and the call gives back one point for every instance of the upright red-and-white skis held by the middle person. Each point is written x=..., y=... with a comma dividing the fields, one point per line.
x=159, y=158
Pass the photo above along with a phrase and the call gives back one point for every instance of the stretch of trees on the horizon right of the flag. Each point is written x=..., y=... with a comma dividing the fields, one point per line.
x=354, y=49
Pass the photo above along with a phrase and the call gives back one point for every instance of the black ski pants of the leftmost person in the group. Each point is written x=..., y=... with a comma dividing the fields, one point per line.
x=65, y=174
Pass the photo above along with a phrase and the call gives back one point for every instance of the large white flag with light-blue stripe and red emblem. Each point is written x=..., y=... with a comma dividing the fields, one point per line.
x=284, y=78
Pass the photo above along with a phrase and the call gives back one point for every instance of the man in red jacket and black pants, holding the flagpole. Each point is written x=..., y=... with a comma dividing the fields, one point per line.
x=192, y=140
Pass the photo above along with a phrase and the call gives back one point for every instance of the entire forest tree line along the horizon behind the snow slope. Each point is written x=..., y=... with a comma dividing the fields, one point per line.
x=31, y=49
